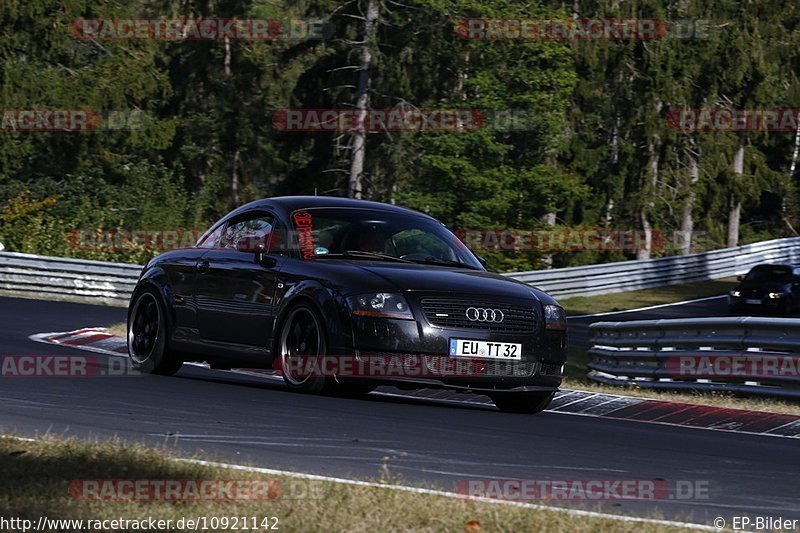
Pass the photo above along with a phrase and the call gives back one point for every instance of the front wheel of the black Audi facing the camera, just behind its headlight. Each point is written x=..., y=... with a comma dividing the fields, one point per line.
x=302, y=335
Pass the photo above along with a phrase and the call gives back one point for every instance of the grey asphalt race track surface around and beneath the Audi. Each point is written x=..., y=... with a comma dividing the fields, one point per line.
x=237, y=418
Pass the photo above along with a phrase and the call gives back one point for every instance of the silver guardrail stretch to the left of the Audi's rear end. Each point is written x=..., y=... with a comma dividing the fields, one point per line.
x=62, y=278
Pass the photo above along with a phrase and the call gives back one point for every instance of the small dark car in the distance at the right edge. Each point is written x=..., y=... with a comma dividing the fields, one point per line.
x=767, y=288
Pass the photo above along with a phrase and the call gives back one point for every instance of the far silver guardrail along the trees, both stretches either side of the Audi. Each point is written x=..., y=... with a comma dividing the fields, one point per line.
x=112, y=283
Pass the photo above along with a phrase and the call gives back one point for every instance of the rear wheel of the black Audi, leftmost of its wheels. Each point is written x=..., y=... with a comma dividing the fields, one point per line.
x=147, y=335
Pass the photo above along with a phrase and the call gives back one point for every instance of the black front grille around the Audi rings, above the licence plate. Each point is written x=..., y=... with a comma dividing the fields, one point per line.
x=452, y=313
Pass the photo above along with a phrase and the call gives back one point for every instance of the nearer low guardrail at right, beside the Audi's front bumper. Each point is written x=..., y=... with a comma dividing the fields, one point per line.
x=738, y=354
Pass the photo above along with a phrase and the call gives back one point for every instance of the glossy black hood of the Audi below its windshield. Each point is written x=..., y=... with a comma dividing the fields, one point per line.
x=428, y=278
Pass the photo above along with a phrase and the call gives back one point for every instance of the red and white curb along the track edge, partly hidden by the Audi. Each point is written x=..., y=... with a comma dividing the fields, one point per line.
x=572, y=402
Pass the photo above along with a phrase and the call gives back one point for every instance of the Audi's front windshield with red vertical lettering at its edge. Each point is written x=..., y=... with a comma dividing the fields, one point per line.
x=346, y=232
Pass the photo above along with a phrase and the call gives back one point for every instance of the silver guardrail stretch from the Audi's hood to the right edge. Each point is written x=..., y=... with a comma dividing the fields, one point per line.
x=644, y=274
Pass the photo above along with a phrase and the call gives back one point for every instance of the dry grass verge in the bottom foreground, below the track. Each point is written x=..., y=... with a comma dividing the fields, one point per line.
x=38, y=475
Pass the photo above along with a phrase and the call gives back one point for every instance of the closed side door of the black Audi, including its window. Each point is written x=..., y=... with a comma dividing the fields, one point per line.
x=236, y=283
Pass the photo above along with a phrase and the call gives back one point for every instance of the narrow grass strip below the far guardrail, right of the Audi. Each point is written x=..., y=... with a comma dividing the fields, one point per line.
x=623, y=301
